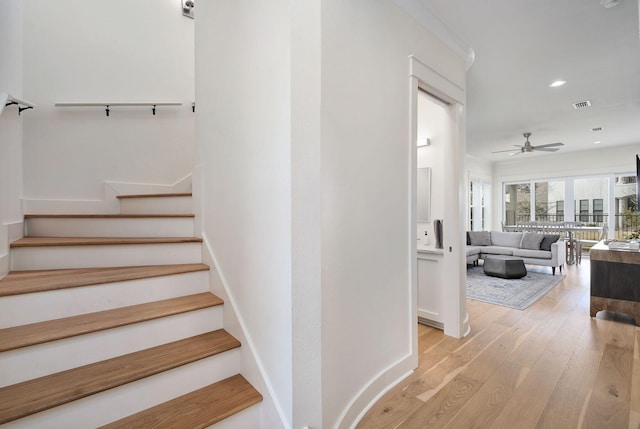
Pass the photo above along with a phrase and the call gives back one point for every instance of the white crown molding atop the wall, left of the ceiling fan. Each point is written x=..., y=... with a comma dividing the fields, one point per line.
x=427, y=19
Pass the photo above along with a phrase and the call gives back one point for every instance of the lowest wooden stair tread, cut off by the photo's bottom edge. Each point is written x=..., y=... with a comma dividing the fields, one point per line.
x=198, y=409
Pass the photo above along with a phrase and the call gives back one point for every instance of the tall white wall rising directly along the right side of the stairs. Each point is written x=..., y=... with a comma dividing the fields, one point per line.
x=243, y=130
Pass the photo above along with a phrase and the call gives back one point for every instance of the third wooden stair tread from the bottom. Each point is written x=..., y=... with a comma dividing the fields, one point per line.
x=51, y=330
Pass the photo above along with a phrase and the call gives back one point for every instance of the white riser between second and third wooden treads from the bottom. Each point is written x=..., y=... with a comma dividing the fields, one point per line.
x=44, y=359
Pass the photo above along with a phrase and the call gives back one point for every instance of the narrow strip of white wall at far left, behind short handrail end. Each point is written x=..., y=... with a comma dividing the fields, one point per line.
x=10, y=123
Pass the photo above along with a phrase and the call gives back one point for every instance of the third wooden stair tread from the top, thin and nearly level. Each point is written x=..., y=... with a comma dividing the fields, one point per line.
x=97, y=241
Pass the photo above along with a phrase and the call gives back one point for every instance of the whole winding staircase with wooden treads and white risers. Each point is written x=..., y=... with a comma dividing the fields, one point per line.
x=107, y=321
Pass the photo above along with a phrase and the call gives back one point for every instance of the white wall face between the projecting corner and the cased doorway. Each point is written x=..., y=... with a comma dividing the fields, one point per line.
x=366, y=158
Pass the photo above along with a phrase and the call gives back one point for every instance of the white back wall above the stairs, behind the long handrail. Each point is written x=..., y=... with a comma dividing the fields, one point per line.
x=99, y=51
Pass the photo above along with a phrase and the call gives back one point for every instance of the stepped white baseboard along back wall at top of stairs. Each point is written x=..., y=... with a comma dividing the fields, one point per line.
x=109, y=202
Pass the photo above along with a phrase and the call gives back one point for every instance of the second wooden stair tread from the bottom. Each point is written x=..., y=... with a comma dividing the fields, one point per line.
x=29, y=397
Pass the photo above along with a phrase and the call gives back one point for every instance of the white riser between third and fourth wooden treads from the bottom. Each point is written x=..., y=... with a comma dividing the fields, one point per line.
x=23, y=309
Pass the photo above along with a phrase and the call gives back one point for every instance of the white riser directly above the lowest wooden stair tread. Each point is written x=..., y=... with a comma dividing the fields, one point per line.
x=114, y=404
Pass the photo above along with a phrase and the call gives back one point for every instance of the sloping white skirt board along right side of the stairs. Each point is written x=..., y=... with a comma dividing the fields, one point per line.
x=272, y=415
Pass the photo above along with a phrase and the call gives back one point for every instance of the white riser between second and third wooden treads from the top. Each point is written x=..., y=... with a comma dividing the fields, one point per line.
x=108, y=227
